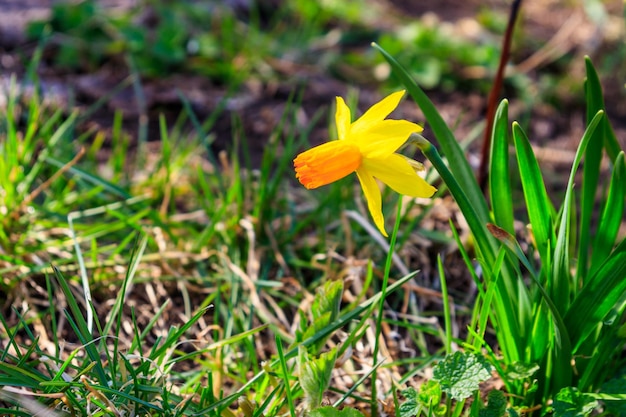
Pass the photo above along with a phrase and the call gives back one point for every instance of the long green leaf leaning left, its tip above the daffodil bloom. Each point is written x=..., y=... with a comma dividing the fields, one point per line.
x=456, y=158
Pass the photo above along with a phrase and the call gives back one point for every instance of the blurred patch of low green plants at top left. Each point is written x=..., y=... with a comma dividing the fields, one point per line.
x=155, y=37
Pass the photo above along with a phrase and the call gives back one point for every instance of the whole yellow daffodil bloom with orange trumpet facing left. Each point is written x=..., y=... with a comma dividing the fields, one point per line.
x=368, y=148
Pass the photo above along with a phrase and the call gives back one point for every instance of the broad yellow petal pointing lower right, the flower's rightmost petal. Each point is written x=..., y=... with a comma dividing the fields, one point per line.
x=395, y=171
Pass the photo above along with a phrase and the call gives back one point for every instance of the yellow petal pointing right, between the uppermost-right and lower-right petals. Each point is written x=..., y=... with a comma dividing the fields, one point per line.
x=386, y=137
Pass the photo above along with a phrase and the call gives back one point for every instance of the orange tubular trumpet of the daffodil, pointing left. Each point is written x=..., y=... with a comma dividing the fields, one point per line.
x=327, y=163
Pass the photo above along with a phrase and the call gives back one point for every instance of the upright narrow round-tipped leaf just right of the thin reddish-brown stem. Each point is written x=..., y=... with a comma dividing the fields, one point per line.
x=499, y=175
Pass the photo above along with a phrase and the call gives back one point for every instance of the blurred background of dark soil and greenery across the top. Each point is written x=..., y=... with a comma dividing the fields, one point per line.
x=247, y=58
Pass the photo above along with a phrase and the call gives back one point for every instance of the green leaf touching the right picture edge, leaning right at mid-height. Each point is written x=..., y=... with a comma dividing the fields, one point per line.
x=611, y=217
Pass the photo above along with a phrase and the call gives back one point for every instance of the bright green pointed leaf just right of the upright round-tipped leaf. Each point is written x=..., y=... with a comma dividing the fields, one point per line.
x=540, y=211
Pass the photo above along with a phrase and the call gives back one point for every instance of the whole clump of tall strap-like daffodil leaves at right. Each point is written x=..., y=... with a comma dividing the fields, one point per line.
x=560, y=316
